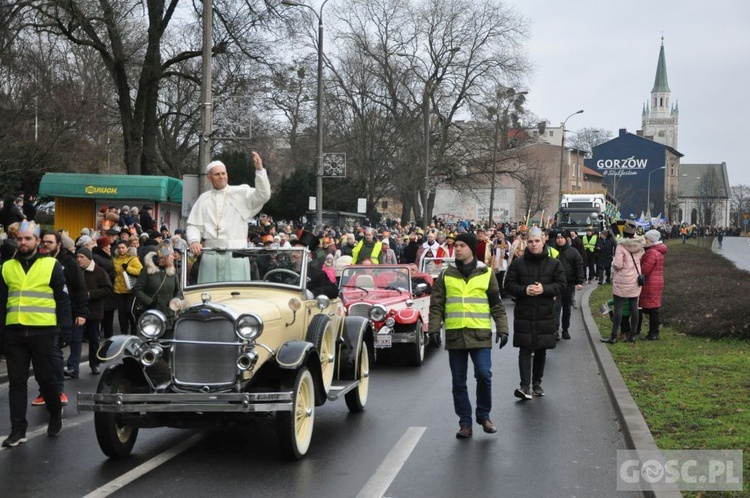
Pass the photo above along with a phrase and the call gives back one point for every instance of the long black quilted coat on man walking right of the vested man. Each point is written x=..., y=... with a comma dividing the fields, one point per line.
x=534, y=319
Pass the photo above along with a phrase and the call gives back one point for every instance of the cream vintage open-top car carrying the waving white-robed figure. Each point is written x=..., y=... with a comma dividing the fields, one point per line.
x=239, y=349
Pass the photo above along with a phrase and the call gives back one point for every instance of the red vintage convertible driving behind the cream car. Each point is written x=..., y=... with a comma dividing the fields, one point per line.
x=397, y=306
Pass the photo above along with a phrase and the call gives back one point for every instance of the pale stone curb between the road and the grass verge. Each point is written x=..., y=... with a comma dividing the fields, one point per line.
x=634, y=428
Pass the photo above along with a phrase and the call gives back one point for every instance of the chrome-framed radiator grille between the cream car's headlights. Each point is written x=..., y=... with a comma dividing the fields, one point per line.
x=204, y=353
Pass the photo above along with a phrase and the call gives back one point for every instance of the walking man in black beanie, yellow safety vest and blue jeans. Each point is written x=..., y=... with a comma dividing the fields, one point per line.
x=466, y=296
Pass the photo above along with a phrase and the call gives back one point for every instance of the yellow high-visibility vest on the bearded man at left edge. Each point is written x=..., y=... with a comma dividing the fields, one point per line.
x=31, y=300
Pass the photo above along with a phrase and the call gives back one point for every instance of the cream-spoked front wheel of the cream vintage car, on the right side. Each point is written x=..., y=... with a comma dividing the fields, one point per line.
x=295, y=427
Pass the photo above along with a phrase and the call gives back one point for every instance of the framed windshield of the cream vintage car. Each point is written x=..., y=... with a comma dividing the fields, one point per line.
x=253, y=266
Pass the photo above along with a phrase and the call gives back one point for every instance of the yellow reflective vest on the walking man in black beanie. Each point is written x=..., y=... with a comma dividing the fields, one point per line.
x=466, y=303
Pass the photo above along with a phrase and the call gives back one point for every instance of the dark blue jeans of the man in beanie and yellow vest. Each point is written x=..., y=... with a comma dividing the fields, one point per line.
x=459, y=363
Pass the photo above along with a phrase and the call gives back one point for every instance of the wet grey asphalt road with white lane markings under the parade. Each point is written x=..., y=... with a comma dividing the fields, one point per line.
x=402, y=446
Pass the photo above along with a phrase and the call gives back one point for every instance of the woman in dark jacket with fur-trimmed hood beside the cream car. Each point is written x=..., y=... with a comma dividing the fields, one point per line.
x=159, y=284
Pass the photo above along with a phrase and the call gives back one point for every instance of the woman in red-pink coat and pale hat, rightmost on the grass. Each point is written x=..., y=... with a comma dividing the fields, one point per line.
x=652, y=266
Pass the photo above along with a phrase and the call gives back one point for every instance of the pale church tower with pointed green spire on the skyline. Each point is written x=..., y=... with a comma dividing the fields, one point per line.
x=659, y=117
